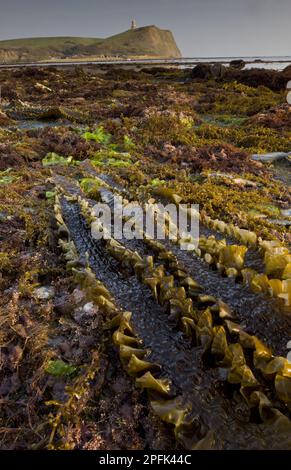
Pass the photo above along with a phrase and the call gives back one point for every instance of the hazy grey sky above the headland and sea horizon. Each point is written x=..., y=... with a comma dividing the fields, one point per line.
x=201, y=27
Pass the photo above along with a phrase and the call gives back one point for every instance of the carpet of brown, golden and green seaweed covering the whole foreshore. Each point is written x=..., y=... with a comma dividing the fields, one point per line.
x=67, y=349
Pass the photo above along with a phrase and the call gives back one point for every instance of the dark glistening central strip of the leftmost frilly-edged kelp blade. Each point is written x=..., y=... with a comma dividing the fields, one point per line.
x=213, y=407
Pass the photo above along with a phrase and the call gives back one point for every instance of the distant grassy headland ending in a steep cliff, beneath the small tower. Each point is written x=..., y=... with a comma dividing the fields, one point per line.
x=148, y=41
